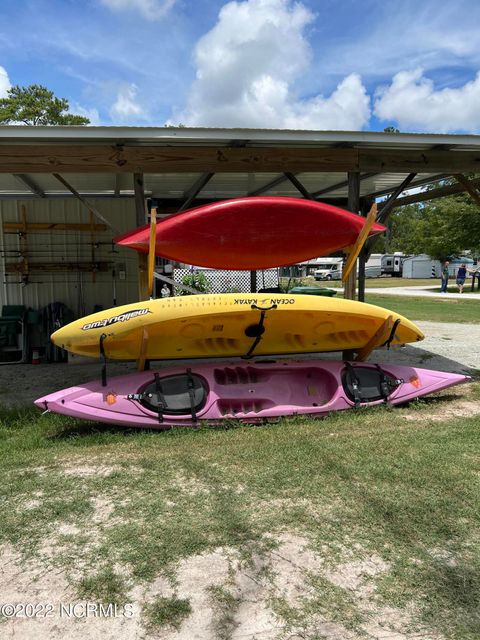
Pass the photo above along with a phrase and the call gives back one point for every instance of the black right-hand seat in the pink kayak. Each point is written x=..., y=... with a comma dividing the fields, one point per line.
x=373, y=384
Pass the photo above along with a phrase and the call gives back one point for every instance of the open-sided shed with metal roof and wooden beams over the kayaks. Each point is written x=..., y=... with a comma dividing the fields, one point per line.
x=66, y=191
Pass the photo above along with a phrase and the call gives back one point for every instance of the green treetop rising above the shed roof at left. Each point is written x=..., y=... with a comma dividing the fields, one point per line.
x=36, y=105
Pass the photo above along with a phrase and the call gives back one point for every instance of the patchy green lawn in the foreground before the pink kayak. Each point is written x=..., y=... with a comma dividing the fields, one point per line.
x=358, y=485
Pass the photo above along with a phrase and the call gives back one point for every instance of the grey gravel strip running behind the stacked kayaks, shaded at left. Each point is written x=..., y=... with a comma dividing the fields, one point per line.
x=447, y=347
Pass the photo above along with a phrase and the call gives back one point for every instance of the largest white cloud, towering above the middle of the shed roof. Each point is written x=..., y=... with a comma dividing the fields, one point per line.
x=247, y=66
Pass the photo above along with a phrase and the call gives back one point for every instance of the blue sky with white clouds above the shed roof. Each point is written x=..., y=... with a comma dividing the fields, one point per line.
x=344, y=64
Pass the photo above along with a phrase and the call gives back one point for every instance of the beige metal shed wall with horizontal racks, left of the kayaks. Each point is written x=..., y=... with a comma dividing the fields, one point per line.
x=79, y=291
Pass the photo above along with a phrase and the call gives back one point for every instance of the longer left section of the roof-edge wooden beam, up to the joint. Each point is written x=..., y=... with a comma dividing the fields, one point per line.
x=112, y=159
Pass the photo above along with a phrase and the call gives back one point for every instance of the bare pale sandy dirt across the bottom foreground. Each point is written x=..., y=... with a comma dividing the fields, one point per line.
x=250, y=584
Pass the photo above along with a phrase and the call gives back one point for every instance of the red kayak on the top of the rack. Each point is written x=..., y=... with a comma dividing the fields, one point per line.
x=251, y=233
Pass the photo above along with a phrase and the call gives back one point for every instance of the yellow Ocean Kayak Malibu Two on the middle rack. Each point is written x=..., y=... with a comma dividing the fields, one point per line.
x=232, y=324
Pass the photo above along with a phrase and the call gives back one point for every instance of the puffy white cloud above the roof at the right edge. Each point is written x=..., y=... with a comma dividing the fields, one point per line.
x=412, y=101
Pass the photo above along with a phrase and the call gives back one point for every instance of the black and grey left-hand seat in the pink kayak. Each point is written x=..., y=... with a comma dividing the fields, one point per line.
x=175, y=394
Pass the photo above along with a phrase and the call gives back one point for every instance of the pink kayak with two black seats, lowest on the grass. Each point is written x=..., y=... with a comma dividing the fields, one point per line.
x=250, y=392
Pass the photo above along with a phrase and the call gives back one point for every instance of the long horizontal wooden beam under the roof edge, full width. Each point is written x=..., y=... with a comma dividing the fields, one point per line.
x=82, y=158
